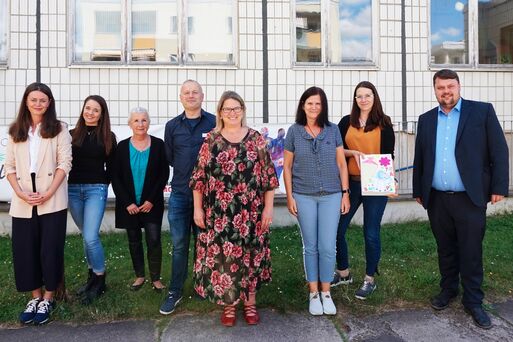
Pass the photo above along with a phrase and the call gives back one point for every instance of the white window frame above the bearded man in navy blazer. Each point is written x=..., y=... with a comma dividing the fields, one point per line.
x=473, y=43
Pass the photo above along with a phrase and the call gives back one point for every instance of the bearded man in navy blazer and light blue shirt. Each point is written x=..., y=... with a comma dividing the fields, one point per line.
x=461, y=163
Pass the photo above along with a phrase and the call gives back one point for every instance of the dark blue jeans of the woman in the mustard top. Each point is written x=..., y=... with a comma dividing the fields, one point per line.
x=373, y=209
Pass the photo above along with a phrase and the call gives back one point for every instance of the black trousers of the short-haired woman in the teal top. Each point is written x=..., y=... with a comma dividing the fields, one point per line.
x=153, y=246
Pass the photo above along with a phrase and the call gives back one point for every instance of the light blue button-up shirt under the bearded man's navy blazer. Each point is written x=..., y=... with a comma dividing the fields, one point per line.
x=446, y=176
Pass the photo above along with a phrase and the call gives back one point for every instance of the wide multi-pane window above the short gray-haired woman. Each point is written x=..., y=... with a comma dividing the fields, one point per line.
x=153, y=31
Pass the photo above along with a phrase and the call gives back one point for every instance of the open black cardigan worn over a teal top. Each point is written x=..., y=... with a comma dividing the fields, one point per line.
x=157, y=175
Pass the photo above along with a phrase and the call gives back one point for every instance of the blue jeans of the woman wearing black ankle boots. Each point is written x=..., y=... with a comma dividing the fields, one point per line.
x=87, y=206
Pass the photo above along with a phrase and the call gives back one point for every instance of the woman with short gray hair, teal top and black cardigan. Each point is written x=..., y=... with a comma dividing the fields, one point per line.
x=140, y=173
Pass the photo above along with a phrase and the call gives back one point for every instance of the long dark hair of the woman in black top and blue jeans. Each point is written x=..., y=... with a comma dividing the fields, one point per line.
x=102, y=131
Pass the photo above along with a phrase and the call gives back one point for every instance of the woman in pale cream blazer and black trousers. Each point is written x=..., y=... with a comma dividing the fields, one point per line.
x=37, y=161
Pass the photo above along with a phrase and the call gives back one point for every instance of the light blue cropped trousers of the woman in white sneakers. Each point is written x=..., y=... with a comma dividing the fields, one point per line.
x=318, y=218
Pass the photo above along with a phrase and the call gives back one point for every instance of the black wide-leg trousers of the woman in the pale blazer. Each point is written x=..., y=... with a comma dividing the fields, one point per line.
x=38, y=250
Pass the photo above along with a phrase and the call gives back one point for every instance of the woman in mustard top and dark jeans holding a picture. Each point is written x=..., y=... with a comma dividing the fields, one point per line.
x=367, y=130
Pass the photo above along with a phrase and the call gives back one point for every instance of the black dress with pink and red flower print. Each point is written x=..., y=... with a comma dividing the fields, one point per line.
x=233, y=256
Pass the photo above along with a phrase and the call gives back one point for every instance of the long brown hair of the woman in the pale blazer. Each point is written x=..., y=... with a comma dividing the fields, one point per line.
x=50, y=126
